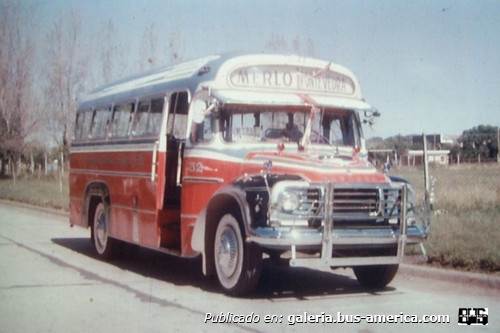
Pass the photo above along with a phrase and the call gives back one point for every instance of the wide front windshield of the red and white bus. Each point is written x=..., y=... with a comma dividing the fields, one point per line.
x=304, y=125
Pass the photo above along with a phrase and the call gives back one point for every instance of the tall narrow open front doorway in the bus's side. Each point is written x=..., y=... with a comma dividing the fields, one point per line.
x=178, y=107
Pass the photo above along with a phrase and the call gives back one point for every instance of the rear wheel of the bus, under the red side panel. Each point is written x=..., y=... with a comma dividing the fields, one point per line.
x=105, y=246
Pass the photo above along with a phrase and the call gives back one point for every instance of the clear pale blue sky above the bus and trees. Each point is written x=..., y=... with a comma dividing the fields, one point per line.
x=428, y=66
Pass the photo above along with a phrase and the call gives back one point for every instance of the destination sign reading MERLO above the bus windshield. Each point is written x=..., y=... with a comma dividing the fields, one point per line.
x=292, y=78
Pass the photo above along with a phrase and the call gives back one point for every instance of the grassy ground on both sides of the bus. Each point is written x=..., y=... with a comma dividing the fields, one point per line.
x=465, y=228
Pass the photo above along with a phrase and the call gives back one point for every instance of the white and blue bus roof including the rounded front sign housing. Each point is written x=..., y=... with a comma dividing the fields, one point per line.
x=244, y=78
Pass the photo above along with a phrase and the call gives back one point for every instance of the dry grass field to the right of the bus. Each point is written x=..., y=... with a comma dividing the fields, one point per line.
x=465, y=226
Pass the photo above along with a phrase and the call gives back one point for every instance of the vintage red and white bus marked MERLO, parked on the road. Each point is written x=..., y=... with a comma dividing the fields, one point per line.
x=239, y=158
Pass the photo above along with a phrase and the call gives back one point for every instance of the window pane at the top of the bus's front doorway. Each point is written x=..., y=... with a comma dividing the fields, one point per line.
x=177, y=115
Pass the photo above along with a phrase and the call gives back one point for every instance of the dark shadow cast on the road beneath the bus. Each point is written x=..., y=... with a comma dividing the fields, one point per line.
x=277, y=282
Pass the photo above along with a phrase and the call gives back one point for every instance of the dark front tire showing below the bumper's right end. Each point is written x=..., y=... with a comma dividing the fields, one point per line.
x=375, y=277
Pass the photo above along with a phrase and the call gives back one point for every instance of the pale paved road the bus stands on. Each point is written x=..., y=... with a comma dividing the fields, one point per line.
x=51, y=281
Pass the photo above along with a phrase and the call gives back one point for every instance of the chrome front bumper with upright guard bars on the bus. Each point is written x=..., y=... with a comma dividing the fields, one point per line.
x=327, y=240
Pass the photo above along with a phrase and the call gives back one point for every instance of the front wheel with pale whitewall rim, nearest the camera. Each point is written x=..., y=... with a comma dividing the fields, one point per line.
x=238, y=264
